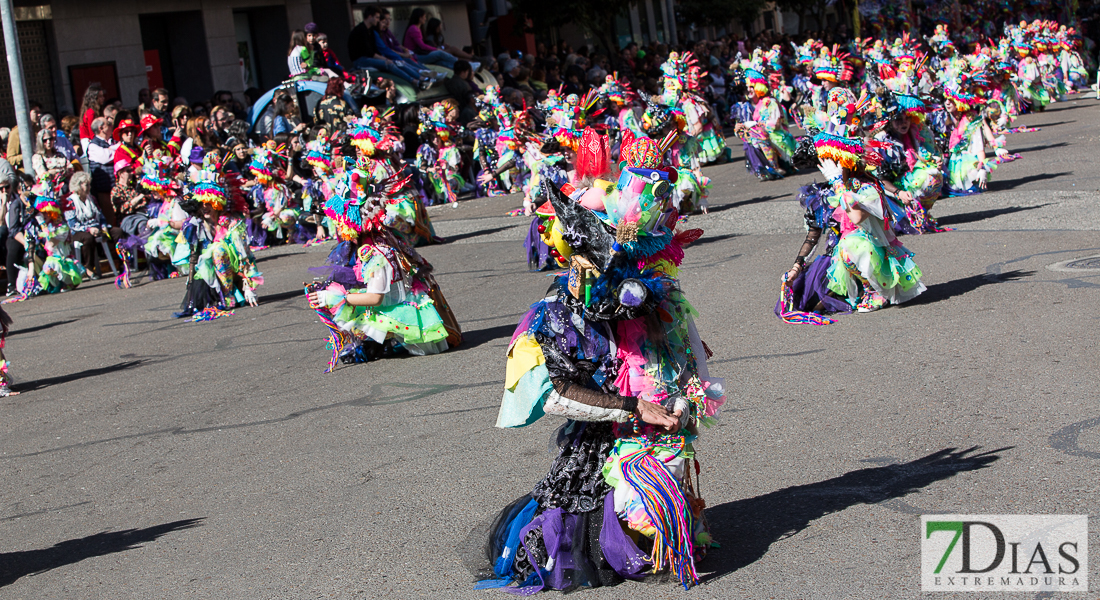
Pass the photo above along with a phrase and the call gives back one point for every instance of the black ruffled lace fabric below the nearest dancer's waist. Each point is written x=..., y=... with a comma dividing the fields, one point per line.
x=576, y=482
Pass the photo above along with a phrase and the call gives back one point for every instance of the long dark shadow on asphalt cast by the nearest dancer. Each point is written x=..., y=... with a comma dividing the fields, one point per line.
x=749, y=528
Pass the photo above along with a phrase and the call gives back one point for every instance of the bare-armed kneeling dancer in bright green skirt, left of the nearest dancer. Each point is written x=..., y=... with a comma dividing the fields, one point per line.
x=380, y=298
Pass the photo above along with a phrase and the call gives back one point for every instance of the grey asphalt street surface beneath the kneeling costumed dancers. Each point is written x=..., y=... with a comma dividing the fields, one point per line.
x=152, y=459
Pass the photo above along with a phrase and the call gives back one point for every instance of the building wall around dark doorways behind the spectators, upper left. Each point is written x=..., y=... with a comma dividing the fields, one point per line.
x=109, y=31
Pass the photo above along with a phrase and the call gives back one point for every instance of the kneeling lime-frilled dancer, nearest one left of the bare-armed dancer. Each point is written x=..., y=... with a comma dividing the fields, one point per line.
x=224, y=269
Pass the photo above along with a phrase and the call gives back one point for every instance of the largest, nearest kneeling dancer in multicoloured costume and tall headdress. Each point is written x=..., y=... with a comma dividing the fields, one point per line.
x=613, y=348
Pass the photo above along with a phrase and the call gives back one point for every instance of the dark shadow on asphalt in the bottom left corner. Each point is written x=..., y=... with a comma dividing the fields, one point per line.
x=16, y=565
